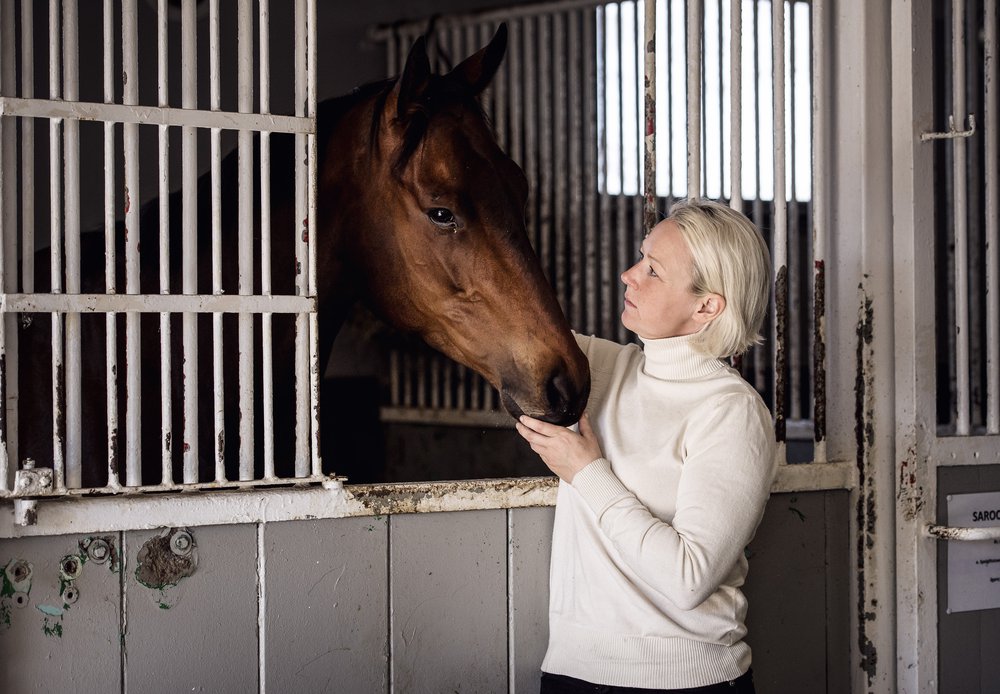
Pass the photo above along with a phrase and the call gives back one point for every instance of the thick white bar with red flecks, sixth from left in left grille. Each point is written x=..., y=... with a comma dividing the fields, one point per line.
x=133, y=387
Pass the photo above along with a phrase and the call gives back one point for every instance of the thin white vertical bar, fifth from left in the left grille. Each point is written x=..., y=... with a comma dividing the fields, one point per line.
x=110, y=251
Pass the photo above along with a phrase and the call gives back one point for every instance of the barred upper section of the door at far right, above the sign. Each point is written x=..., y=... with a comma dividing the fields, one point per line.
x=966, y=218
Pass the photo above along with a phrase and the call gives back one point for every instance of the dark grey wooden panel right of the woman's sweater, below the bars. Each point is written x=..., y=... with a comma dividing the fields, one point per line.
x=787, y=593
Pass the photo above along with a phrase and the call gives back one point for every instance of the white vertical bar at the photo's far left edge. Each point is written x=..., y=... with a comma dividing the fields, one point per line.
x=8, y=231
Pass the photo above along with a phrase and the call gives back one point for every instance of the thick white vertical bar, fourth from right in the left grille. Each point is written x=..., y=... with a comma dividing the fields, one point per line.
x=246, y=226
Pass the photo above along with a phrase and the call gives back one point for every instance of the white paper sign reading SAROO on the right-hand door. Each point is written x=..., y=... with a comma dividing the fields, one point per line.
x=973, y=566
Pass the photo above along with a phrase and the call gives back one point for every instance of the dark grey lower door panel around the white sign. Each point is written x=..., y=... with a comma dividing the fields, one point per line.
x=967, y=641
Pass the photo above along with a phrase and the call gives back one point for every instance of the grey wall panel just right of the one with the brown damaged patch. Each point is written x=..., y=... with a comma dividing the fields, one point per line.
x=327, y=605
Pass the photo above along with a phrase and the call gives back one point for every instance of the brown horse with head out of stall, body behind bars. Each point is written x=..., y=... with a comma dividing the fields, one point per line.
x=420, y=216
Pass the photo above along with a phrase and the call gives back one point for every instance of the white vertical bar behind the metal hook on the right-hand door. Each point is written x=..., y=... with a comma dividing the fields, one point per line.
x=960, y=221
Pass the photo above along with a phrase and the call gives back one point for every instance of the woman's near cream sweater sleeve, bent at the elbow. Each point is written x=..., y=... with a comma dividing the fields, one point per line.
x=728, y=469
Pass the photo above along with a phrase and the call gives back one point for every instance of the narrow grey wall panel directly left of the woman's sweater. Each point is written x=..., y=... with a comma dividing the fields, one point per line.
x=530, y=546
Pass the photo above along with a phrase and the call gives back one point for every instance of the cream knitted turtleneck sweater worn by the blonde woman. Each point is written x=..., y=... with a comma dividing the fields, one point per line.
x=648, y=543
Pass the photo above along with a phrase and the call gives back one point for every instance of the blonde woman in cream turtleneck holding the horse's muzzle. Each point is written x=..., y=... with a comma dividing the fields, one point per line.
x=666, y=481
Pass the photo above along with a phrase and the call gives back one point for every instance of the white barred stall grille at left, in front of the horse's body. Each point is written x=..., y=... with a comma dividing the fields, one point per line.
x=112, y=145
